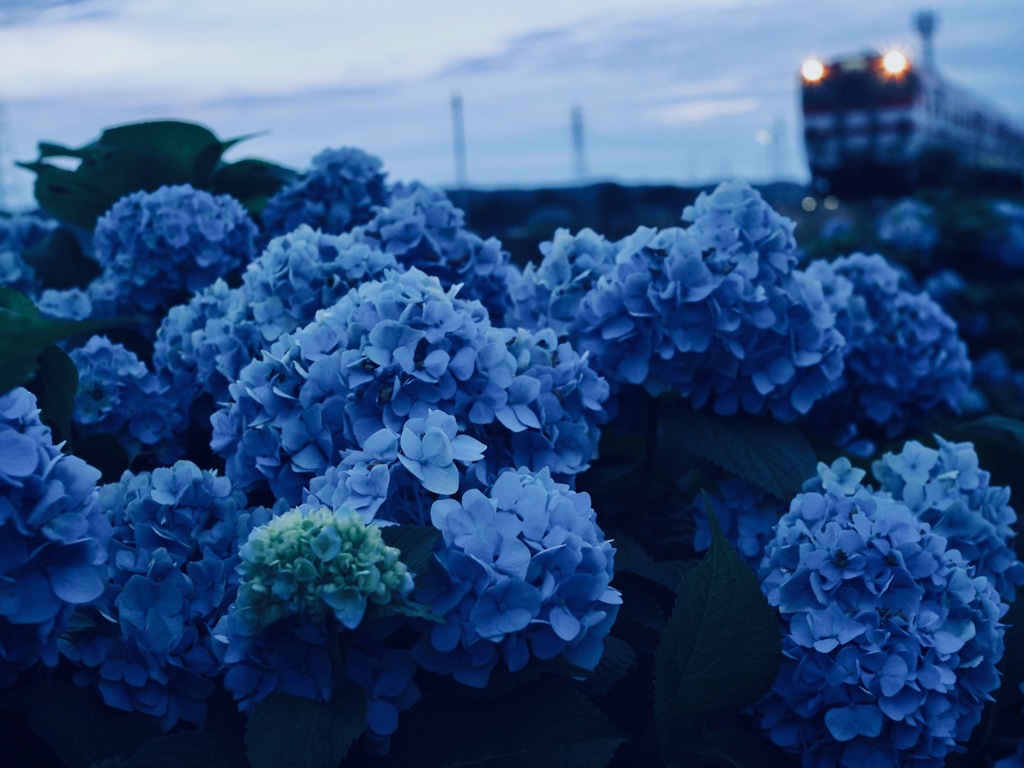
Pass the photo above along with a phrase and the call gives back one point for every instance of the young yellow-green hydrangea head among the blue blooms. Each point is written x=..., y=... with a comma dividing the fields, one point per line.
x=317, y=563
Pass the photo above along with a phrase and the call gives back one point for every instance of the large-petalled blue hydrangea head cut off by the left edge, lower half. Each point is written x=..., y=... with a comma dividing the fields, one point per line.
x=53, y=537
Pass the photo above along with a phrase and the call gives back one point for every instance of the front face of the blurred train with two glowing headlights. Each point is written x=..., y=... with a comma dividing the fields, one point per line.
x=860, y=123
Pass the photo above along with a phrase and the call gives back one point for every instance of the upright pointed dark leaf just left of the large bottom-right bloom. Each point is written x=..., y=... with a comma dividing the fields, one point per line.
x=721, y=646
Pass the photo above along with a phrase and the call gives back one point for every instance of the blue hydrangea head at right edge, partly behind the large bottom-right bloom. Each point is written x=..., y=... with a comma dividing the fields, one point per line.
x=947, y=489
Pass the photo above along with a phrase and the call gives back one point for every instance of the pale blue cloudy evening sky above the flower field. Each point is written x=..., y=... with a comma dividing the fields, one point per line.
x=684, y=93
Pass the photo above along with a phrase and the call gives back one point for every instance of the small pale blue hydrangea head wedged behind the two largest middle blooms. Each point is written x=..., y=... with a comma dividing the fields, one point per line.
x=548, y=295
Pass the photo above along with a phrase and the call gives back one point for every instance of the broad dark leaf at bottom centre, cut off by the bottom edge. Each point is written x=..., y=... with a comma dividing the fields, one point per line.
x=535, y=728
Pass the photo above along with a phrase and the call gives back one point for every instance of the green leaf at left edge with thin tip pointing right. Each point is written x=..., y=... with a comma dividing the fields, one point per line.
x=25, y=334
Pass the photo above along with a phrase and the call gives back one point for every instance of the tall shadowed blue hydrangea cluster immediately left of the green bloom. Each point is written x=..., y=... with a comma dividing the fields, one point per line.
x=147, y=645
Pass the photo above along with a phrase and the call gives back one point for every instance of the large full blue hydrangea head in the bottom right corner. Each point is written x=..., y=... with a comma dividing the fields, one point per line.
x=890, y=641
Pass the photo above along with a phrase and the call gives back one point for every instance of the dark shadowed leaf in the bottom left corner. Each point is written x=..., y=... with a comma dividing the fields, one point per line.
x=79, y=728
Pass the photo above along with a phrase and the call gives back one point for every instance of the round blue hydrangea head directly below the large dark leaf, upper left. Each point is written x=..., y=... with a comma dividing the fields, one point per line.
x=156, y=248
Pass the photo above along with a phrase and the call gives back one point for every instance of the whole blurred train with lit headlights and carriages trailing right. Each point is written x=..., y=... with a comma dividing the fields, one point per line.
x=879, y=123
